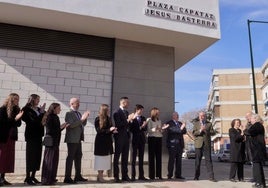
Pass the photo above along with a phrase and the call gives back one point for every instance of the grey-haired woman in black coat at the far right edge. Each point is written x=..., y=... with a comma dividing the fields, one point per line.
x=257, y=149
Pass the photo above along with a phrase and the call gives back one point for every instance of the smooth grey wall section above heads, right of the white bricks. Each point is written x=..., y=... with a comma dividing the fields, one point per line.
x=144, y=73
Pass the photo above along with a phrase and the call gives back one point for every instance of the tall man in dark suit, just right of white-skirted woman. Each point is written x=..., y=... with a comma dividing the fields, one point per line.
x=122, y=119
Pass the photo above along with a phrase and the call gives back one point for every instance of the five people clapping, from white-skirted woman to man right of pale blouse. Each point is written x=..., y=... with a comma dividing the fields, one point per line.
x=135, y=124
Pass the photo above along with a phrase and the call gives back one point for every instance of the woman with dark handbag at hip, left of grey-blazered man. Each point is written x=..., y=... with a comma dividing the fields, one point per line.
x=51, y=155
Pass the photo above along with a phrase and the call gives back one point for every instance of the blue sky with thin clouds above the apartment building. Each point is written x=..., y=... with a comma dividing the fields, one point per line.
x=231, y=51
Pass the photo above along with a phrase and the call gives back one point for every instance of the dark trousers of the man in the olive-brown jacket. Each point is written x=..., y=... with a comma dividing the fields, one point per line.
x=198, y=157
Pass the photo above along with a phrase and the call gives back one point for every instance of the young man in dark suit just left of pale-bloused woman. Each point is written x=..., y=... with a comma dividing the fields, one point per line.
x=138, y=128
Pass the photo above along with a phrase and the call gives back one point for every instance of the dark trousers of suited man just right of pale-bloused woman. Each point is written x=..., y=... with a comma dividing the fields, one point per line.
x=175, y=155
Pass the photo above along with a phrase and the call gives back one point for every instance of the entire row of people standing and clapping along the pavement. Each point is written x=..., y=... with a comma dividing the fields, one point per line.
x=245, y=143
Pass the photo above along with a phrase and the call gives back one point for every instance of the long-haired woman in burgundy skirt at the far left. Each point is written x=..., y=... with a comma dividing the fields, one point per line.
x=10, y=120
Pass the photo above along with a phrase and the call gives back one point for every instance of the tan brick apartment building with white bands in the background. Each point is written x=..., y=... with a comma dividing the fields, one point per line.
x=231, y=96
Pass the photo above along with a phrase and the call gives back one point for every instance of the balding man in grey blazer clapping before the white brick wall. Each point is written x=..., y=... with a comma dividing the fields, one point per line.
x=74, y=136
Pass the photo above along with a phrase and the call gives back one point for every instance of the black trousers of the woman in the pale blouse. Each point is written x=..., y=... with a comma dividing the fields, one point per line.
x=155, y=157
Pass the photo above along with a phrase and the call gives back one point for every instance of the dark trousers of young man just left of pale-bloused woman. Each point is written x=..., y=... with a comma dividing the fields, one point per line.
x=137, y=148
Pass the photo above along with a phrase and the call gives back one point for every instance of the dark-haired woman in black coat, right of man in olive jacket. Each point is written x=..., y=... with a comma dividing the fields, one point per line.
x=237, y=142
